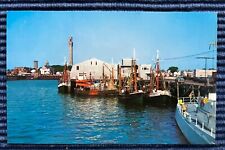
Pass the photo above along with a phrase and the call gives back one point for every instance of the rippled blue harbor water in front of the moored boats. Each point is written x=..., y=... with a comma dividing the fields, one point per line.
x=38, y=114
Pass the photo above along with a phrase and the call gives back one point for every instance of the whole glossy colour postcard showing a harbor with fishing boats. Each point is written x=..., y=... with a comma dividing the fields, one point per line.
x=111, y=77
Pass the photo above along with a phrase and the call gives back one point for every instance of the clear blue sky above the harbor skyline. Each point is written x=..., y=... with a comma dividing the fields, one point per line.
x=43, y=35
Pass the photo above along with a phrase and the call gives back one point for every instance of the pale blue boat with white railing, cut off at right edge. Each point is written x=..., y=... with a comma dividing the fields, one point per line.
x=196, y=119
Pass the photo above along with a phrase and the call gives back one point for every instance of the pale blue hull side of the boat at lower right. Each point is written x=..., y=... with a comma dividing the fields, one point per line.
x=193, y=134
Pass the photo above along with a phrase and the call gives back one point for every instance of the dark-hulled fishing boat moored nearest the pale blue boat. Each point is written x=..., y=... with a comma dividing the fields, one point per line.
x=158, y=95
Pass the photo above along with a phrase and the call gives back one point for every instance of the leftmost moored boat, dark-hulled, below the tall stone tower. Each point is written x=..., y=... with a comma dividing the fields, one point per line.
x=64, y=82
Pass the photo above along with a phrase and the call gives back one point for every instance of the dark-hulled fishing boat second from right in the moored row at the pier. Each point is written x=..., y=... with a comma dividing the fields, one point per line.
x=130, y=93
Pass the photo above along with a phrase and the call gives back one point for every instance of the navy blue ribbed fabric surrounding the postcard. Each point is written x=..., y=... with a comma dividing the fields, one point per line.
x=139, y=5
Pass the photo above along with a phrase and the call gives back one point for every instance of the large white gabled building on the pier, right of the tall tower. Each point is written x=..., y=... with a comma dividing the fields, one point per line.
x=92, y=68
